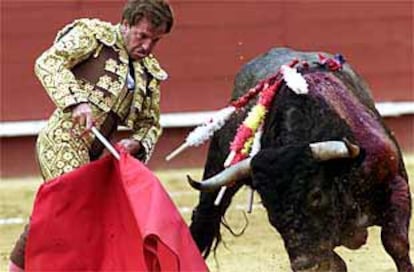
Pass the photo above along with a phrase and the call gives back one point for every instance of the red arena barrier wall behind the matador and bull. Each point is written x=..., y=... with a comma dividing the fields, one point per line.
x=209, y=43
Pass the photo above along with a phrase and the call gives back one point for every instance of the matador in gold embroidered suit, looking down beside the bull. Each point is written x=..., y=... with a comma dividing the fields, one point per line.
x=101, y=75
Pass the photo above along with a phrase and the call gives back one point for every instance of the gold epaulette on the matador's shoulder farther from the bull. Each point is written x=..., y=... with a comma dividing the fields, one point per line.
x=103, y=31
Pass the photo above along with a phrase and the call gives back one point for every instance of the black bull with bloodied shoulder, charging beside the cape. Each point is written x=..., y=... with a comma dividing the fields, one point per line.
x=315, y=204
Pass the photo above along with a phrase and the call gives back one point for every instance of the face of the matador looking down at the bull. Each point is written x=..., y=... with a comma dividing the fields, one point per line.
x=140, y=39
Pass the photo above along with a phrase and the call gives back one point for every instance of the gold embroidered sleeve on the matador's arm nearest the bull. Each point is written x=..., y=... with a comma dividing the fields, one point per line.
x=146, y=126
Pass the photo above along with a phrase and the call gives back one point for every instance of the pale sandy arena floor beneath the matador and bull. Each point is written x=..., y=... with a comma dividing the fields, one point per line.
x=259, y=249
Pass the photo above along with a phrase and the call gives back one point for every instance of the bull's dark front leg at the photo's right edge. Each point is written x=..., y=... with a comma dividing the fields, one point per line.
x=394, y=234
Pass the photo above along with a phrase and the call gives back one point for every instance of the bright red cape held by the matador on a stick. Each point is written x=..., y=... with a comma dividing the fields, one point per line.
x=109, y=215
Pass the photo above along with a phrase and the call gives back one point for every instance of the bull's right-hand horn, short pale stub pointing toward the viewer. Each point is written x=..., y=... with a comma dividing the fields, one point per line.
x=329, y=150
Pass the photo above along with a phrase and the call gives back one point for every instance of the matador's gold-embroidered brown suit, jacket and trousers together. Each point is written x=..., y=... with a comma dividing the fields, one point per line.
x=102, y=81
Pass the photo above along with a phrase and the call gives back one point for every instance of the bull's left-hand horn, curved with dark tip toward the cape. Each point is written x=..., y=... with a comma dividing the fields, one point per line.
x=233, y=173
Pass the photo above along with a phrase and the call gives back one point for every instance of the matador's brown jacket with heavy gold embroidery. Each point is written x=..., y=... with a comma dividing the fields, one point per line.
x=89, y=63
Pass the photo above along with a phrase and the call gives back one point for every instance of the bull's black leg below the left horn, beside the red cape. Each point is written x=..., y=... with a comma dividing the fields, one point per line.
x=206, y=219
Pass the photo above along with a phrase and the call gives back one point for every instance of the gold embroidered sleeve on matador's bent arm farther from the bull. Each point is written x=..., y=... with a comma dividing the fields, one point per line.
x=74, y=44
